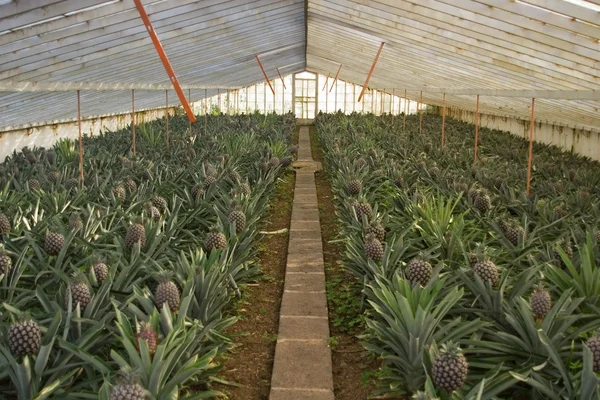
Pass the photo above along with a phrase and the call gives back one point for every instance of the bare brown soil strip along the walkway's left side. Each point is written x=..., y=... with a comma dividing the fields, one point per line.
x=249, y=365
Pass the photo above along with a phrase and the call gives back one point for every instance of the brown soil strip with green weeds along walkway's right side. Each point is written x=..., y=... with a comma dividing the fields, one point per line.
x=353, y=369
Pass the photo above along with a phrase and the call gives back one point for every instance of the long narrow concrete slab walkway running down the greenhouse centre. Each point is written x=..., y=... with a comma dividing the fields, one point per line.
x=302, y=369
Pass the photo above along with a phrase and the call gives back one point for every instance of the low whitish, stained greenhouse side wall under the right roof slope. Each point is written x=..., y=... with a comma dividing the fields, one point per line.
x=583, y=142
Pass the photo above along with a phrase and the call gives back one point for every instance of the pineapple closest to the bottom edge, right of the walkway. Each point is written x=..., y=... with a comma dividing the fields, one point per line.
x=450, y=368
